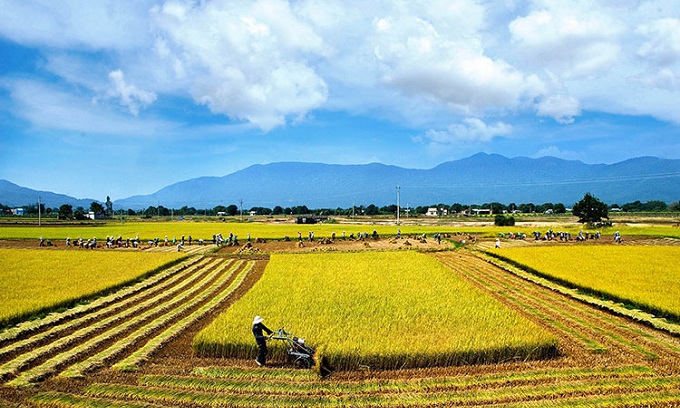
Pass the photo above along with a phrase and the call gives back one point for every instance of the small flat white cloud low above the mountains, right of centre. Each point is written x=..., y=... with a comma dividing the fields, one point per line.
x=471, y=130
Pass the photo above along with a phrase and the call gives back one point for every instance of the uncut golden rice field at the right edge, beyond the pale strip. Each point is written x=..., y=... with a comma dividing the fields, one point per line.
x=645, y=276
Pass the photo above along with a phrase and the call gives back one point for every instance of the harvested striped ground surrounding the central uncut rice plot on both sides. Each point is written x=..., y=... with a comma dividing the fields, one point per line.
x=74, y=358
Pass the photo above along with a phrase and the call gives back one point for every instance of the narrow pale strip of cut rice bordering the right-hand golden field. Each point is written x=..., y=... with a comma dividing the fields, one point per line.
x=612, y=306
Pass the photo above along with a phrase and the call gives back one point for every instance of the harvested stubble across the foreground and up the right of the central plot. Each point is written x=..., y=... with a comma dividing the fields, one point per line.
x=606, y=361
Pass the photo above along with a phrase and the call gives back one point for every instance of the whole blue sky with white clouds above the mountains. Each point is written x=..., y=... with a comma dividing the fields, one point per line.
x=118, y=98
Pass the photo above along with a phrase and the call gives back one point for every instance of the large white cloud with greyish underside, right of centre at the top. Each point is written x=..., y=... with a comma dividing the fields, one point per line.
x=435, y=50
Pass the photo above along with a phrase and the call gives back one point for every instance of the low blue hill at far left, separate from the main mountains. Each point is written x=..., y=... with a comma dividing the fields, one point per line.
x=13, y=195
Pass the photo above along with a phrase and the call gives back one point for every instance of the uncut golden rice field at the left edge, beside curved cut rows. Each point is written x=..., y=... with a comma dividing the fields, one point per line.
x=36, y=280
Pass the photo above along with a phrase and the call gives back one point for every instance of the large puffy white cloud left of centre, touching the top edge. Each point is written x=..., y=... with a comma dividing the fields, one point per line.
x=247, y=60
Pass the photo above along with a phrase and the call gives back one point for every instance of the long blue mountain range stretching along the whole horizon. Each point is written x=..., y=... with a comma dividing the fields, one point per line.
x=478, y=179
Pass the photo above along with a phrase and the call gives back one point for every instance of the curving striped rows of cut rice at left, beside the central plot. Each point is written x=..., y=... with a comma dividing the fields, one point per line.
x=122, y=329
